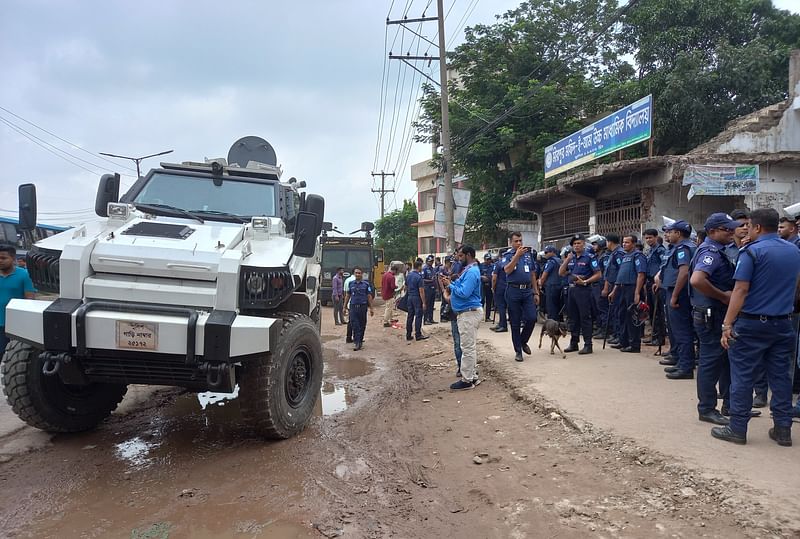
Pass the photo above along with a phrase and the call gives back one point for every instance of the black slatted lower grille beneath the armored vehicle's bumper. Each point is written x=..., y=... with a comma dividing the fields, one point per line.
x=142, y=368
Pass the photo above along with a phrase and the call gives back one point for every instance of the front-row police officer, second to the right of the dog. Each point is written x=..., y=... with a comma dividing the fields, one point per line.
x=630, y=283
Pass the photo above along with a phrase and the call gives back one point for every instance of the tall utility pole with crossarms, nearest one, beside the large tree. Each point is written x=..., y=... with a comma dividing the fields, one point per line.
x=449, y=202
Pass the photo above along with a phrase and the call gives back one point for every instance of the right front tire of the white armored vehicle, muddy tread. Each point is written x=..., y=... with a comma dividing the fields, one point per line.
x=277, y=392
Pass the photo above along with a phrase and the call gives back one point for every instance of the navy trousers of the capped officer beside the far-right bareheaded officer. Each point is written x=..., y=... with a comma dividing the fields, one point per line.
x=713, y=366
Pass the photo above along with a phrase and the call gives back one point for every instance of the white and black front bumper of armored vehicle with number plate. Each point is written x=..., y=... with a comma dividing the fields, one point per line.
x=121, y=342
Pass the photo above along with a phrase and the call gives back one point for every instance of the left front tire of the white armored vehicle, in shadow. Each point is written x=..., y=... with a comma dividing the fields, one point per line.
x=45, y=402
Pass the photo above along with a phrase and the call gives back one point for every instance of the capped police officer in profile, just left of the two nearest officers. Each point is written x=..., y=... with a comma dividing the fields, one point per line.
x=675, y=276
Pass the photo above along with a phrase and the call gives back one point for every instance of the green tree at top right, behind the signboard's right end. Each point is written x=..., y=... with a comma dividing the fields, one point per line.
x=708, y=62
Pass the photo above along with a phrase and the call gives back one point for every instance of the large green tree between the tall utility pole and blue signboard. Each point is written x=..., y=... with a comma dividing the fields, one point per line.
x=539, y=62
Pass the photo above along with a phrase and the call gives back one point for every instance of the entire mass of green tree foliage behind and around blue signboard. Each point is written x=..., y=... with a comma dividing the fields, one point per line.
x=706, y=62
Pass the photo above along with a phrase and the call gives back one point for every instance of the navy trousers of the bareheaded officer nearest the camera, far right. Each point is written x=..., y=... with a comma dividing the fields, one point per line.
x=768, y=345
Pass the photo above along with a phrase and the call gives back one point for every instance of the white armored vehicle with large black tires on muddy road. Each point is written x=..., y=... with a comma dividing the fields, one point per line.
x=203, y=276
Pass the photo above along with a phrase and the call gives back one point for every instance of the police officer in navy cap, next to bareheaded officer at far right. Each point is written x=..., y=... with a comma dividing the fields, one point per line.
x=712, y=282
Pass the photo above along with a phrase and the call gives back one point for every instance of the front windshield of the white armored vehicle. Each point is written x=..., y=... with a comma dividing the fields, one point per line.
x=195, y=193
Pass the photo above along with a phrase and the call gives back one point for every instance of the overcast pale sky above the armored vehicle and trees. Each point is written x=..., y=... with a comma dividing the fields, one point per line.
x=135, y=78
